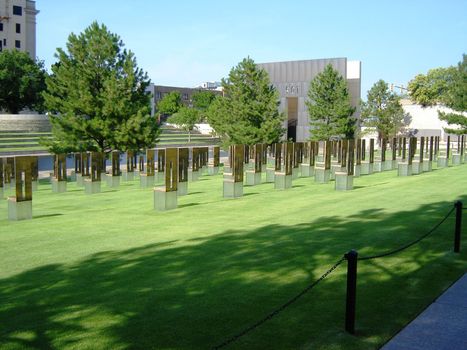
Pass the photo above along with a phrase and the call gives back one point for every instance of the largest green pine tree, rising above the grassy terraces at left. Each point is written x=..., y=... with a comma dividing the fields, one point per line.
x=98, y=94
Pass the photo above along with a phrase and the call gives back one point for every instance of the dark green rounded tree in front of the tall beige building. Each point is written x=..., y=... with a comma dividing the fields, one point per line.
x=22, y=81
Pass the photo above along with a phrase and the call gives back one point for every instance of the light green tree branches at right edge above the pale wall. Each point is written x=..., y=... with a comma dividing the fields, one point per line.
x=445, y=86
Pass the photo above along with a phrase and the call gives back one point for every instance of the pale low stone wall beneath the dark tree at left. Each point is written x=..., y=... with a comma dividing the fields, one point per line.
x=25, y=122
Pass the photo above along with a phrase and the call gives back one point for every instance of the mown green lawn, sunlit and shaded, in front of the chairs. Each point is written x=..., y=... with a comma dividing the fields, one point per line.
x=106, y=271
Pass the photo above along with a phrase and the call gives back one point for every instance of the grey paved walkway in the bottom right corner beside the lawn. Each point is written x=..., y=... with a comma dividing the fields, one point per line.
x=442, y=326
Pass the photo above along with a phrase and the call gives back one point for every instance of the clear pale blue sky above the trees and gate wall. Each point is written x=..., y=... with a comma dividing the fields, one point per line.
x=186, y=42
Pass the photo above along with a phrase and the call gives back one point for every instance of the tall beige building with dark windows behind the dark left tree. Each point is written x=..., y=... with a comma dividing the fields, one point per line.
x=18, y=26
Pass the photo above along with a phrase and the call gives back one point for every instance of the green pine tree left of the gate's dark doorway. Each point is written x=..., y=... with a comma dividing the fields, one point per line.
x=248, y=112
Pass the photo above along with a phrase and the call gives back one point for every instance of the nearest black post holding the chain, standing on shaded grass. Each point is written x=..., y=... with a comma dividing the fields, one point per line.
x=351, y=257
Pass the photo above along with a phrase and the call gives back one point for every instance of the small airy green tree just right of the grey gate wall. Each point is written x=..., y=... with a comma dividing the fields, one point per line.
x=383, y=111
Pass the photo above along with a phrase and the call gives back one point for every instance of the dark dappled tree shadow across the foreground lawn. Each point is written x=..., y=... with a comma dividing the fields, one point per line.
x=197, y=293
